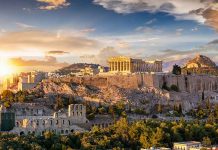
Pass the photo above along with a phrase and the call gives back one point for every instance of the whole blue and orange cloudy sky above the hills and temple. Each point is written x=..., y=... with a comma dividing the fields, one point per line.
x=49, y=34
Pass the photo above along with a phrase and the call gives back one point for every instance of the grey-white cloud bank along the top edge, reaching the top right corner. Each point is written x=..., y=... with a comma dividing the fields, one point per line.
x=203, y=11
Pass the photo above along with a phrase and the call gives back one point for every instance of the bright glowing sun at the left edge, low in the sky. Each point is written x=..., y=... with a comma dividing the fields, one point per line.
x=5, y=68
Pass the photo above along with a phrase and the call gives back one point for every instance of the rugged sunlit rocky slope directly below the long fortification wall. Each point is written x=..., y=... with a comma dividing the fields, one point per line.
x=145, y=98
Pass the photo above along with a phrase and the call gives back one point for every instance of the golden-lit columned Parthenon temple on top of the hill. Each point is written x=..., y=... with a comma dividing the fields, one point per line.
x=129, y=65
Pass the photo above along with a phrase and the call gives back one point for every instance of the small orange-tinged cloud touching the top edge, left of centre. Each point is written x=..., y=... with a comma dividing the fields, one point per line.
x=53, y=4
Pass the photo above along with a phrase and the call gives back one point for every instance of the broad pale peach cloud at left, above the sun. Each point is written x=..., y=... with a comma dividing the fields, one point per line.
x=38, y=42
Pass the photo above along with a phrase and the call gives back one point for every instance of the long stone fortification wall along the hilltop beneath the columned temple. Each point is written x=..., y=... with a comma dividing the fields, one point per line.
x=185, y=83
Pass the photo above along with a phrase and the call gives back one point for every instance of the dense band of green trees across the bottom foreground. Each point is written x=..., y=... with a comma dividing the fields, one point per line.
x=121, y=135
